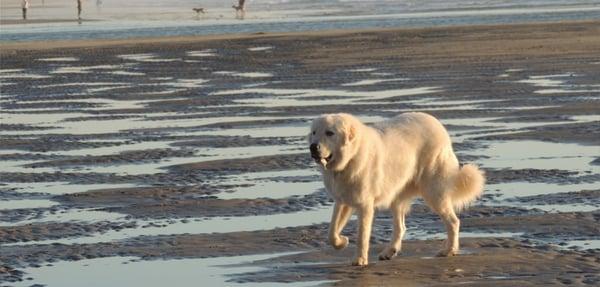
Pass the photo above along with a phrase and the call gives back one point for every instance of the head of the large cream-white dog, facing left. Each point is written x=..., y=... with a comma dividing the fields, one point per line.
x=332, y=140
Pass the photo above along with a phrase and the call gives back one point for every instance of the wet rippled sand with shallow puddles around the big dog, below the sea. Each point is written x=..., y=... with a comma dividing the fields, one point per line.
x=191, y=150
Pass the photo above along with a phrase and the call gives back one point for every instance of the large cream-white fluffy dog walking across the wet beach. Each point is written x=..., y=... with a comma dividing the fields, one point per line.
x=385, y=166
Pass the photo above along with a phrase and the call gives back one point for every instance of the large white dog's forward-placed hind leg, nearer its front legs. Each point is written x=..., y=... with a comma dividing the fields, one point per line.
x=399, y=208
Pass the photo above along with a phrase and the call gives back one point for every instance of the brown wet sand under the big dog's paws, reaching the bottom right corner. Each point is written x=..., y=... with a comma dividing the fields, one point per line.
x=489, y=262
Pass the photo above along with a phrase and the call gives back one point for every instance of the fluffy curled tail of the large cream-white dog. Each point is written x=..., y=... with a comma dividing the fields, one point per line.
x=468, y=186
